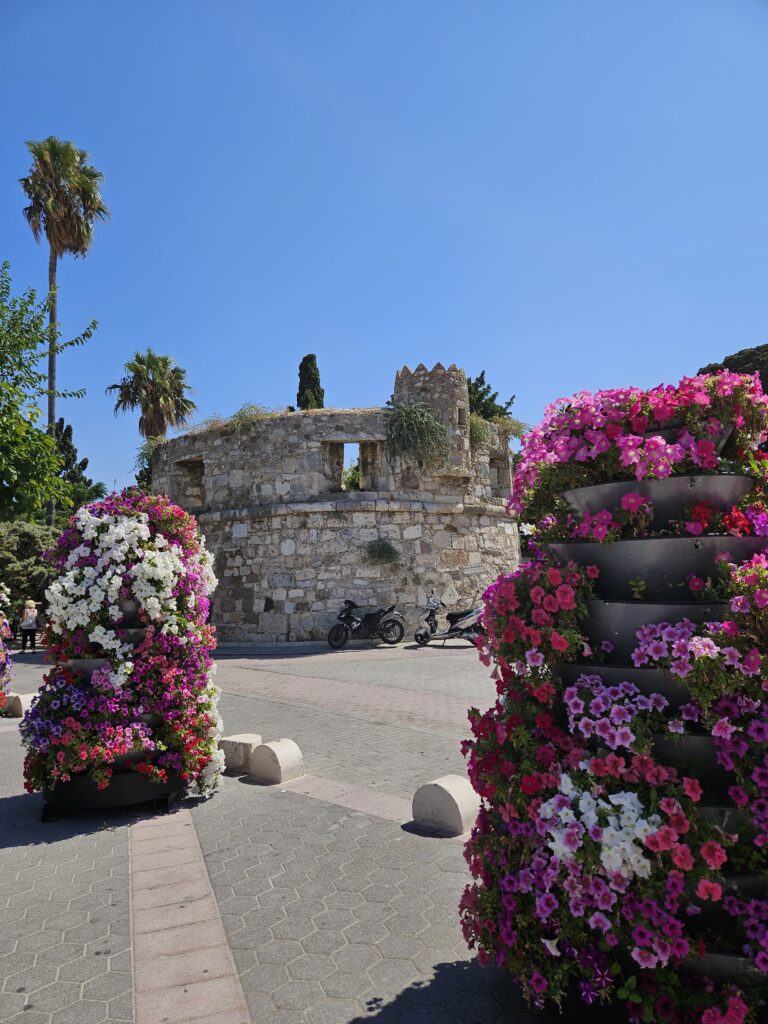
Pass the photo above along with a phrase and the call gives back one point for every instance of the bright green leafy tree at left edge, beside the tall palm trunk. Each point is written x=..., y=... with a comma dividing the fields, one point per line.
x=30, y=463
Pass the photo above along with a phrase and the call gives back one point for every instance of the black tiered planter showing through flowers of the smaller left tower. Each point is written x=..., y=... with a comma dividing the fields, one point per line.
x=126, y=787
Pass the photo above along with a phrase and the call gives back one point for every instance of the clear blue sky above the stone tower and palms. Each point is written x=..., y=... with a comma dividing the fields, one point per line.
x=567, y=195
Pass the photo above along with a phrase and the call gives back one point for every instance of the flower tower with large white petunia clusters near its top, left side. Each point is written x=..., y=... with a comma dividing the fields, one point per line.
x=129, y=711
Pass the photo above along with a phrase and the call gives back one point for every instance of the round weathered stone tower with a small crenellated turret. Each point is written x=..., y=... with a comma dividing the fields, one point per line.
x=291, y=544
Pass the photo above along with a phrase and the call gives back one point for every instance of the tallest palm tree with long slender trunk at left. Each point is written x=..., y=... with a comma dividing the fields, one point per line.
x=65, y=203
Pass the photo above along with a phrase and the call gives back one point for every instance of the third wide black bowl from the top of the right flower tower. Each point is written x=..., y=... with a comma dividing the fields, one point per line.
x=620, y=621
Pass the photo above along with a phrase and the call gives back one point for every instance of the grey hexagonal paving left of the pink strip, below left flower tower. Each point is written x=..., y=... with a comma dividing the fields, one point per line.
x=65, y=926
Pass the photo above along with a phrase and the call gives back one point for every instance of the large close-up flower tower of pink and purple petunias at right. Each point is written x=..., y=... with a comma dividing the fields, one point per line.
x=621, y=852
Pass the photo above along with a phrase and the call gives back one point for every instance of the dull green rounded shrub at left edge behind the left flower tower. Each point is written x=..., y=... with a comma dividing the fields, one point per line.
x=24, y=571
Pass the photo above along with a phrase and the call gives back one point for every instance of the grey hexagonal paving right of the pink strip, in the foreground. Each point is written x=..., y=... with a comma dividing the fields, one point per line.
x=336, y=916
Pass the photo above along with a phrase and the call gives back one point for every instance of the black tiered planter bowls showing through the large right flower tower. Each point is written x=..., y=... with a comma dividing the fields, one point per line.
x=665, y=565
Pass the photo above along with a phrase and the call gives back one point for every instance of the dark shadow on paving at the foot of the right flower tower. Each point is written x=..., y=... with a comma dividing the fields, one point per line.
x=459, y=992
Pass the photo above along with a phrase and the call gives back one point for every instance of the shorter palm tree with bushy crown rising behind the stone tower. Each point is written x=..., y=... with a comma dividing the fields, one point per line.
x=155, y=386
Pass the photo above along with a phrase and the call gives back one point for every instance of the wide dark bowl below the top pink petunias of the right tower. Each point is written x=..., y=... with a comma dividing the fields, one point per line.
x=670, y=497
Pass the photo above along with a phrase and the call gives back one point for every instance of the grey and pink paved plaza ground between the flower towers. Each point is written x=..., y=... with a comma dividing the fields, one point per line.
x=311, y=903
